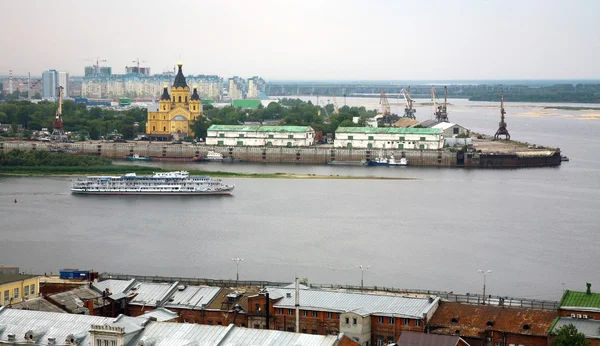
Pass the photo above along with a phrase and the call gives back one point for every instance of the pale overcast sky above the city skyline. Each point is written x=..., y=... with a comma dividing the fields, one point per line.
x=309, y=39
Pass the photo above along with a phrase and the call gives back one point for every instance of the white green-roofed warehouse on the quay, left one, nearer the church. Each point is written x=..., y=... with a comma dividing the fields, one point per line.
x=260, y=136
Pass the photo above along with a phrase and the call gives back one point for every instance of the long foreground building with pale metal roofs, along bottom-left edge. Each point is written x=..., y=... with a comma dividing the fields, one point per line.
x=48, y=328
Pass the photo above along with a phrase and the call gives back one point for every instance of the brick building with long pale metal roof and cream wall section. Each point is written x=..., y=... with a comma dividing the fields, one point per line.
x=370, y=319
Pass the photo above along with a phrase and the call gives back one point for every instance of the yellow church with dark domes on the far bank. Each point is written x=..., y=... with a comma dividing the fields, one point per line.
x=176, y=112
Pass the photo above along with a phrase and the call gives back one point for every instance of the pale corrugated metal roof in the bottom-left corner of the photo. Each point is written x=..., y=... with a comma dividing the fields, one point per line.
x=49, y=324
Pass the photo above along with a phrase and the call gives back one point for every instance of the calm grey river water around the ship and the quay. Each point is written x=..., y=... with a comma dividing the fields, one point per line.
x=535, y=228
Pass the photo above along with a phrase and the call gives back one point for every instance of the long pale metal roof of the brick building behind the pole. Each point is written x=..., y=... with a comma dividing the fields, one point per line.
x=322, y=300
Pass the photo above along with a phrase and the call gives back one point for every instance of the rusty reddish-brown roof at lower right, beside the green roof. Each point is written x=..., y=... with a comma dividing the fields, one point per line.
x=473, y=320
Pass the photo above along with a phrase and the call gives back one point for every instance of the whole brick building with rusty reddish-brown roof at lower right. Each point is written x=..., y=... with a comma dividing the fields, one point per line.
x=485, y=325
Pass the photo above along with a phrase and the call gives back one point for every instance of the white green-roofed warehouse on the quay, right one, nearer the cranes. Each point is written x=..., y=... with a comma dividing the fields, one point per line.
x=388, y=138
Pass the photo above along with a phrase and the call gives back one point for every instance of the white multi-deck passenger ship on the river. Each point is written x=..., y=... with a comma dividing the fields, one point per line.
x=168, y=183
